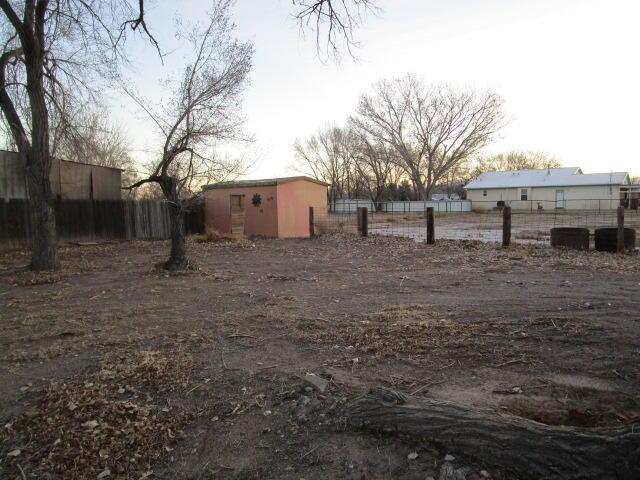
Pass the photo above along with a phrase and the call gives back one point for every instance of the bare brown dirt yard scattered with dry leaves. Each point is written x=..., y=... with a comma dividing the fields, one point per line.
x=113, y=369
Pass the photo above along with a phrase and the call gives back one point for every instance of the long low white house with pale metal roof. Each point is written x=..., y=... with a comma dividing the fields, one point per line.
x=549, y=188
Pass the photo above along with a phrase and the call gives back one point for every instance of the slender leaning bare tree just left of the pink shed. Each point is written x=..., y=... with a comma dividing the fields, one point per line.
x=204, y=109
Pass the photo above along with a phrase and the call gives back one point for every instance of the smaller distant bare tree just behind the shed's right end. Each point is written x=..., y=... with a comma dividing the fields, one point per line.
x=328, y=156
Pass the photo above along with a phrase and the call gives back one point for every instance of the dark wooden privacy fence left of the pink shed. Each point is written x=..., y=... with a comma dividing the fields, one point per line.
x=82, y=220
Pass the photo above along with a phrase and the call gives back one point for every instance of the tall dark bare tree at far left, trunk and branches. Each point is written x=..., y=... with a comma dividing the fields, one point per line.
x=46, y=45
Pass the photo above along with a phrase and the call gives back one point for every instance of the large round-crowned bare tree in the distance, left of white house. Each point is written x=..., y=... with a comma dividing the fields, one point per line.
x=431, y=129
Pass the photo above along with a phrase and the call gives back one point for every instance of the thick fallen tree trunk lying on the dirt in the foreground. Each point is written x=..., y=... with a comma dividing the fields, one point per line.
x=526, y=448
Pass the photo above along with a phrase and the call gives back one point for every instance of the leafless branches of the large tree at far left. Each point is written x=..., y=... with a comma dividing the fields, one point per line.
x=77, y=42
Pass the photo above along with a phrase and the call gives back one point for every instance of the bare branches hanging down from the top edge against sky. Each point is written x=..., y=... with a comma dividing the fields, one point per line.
x=333, y=22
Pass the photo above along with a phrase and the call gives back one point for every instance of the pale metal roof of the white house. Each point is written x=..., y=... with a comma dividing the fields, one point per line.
x=546, y=177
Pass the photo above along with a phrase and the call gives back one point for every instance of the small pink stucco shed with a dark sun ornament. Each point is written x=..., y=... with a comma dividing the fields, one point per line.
x=277, y=207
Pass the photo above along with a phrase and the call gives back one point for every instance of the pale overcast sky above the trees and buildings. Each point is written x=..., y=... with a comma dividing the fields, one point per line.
x=567, y=69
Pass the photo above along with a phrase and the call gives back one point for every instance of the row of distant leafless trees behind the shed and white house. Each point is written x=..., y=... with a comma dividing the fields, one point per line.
x=408, y=141
